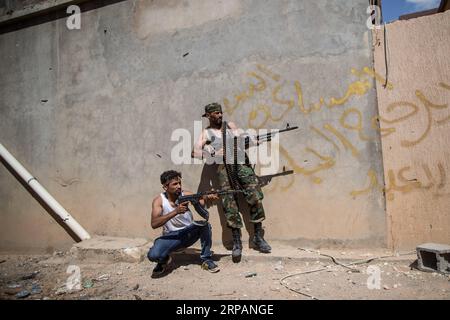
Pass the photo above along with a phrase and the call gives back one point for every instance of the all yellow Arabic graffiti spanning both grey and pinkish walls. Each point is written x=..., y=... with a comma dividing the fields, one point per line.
x=285, y=97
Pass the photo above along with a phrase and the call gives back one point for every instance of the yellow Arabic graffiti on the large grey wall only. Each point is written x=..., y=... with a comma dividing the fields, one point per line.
x=284, y=102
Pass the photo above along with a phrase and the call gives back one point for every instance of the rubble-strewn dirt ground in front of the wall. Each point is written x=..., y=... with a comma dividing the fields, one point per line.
x=50, y=277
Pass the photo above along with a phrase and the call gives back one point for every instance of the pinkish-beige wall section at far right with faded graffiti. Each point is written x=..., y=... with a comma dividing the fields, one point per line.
x=415, y=122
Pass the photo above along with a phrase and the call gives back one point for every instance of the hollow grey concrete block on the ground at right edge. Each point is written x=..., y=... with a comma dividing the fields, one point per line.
x=432, y=257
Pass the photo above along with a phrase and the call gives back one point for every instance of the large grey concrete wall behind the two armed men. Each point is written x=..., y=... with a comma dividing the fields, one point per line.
x=90, y=113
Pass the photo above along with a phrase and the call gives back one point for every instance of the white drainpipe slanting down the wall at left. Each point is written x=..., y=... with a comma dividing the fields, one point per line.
x=44, y=195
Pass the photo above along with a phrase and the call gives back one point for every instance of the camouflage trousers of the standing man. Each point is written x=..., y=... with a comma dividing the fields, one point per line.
x=252, y=194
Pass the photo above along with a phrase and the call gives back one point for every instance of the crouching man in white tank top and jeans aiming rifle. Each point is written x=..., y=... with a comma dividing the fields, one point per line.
x=179, y=229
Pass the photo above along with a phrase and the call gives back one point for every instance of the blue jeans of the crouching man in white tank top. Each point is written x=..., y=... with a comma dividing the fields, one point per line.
x=184, y=238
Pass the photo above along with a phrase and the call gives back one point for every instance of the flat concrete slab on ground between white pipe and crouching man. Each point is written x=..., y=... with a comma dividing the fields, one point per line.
x=111, y=249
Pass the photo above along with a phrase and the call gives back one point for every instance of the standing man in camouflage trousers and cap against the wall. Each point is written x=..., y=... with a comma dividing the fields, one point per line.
x=210, y=146
